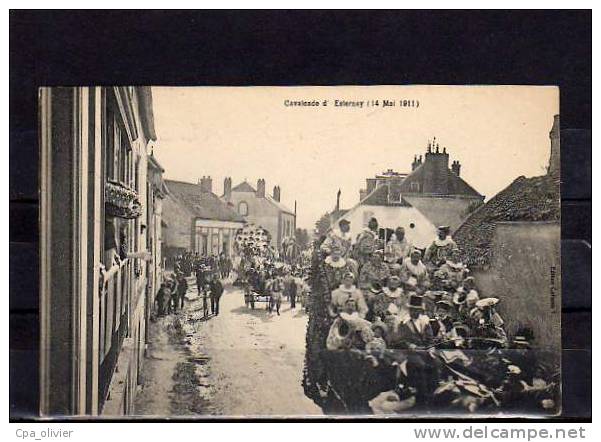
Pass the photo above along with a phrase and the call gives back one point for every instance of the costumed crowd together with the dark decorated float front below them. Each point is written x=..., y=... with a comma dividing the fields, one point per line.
x=410, y=314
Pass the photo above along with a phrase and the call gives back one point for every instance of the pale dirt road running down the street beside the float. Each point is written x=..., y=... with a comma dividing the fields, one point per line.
x=248, y=362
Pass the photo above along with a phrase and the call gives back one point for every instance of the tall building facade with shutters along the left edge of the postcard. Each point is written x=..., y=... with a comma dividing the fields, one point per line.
x=99, y=246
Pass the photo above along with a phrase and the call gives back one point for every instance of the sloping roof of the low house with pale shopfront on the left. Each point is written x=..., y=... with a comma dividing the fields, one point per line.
x=205, y=205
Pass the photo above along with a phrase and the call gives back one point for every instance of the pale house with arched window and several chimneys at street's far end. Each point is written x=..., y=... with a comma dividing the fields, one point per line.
x=261, y=209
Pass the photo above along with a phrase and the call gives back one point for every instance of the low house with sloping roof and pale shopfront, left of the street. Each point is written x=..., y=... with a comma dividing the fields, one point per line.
x=197, y=220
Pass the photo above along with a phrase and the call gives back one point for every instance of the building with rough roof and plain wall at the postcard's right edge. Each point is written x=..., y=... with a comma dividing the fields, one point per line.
x=512, y=245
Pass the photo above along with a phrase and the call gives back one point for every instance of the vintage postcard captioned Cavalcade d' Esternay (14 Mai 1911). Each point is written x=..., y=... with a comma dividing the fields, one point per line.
x=211, y=252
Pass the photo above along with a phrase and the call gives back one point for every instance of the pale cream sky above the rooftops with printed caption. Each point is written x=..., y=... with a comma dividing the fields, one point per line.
x=497, y=133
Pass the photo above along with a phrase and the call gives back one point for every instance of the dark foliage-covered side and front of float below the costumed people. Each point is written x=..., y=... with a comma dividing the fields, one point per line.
x=474, y=374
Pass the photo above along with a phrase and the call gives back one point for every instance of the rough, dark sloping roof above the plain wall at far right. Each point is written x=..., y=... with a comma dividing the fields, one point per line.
x=526, y=199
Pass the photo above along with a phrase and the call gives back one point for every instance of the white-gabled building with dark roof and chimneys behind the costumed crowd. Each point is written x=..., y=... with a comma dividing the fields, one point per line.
x=432, y=194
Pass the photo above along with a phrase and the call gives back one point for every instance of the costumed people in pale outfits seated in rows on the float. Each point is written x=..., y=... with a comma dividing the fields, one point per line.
x=394, y=295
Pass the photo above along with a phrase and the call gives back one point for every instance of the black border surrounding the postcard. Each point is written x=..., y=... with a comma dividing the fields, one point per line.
x=300, y=48
